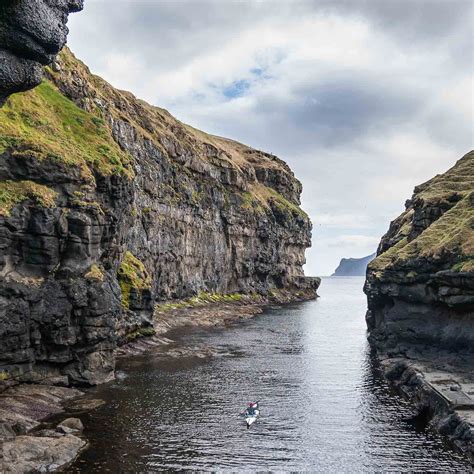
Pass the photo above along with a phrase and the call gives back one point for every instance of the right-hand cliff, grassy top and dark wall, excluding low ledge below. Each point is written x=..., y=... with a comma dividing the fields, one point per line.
x=420, y=287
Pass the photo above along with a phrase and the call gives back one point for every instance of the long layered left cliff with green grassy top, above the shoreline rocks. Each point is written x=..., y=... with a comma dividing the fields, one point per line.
x=108, y=204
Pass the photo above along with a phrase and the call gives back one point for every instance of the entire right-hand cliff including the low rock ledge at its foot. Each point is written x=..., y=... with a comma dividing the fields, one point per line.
x=420, y=291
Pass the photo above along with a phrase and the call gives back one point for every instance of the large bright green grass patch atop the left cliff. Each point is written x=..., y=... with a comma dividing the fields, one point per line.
x=46, y=125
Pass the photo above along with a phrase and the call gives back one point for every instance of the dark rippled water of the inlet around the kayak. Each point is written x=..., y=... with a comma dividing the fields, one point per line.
x=324, y=405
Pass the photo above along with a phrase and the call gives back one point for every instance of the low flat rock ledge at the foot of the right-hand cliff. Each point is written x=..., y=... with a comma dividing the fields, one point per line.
x=442, y=397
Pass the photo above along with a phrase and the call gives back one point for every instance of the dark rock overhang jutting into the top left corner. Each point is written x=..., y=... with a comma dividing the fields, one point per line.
x=32, y=32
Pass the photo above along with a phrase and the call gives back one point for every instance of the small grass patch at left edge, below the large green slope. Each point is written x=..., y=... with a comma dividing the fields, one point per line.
x=14, y=192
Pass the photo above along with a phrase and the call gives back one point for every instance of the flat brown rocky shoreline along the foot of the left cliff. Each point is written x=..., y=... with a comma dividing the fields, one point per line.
x=32, y=437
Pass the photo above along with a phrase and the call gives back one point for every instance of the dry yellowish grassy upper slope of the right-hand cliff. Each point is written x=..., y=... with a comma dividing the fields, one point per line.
x=437, y=226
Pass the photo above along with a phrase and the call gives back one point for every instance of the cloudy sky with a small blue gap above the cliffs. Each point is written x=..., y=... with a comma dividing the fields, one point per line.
x=364, y=99
